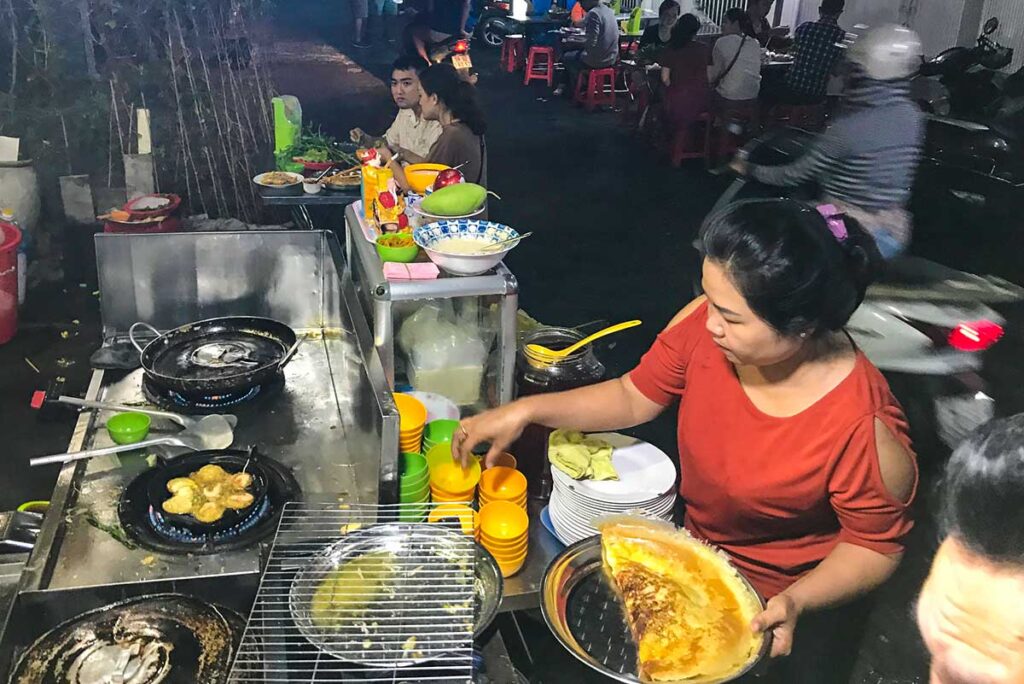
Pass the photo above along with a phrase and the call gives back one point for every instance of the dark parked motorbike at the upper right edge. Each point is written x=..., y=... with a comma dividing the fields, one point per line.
x=974, y=150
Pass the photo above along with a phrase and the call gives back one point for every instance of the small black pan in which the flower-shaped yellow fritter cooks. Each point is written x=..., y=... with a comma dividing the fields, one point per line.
x=233, y=462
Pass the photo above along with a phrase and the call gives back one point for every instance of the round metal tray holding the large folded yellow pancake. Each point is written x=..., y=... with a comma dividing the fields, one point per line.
x=583, y=610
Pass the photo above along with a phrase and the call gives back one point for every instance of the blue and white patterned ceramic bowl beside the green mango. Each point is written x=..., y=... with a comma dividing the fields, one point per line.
x=432, y=239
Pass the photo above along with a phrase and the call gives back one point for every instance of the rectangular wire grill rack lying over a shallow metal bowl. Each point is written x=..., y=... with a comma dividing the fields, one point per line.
x=357, y=593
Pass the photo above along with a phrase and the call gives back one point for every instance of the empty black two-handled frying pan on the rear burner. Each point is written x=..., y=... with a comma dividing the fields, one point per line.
x=219, y=356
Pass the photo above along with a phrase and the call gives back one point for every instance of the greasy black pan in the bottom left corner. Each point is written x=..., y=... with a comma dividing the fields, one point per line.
x=184, y=642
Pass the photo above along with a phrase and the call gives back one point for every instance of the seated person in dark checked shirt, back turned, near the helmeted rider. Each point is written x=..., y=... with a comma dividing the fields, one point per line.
x=818, y=48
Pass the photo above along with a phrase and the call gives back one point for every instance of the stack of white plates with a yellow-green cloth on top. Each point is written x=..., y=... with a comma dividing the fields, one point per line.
x=647, y=485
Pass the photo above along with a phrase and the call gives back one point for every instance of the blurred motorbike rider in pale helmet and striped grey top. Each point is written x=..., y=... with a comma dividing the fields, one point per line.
x=866, y=161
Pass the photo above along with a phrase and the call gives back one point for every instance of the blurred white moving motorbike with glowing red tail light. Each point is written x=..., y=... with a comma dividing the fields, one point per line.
x=924, y=325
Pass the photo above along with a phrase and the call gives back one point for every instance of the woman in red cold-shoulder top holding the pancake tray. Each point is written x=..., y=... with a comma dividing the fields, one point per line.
x=795, y=457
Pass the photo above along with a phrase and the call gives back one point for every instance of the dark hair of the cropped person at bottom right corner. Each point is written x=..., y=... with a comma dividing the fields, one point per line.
x=984, y=491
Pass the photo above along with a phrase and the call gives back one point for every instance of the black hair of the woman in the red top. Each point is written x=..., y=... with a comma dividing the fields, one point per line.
x=793, y=271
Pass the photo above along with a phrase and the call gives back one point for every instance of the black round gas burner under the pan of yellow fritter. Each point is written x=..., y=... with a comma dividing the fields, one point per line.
x=146, y=525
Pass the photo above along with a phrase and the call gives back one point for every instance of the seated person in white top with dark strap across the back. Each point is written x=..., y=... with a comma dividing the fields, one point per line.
x=735, y=73
